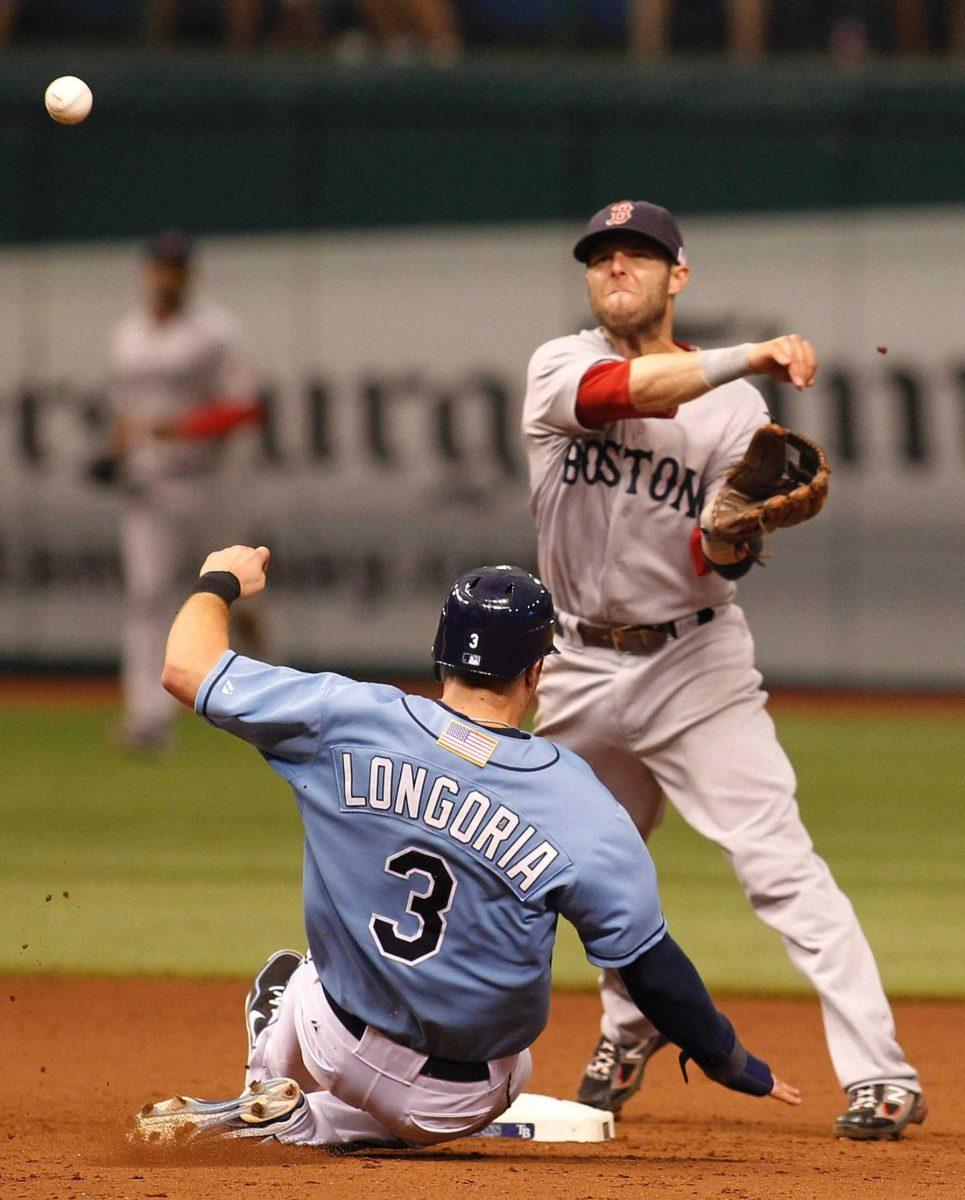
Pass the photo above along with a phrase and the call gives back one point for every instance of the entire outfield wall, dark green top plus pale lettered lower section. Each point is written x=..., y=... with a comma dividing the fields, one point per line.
x=397, y=243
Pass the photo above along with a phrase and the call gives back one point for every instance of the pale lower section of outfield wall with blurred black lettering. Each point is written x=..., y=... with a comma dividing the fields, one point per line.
x=394, y=367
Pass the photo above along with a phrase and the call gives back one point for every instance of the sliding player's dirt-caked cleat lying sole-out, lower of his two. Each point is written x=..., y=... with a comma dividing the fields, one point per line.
x=260, y=1113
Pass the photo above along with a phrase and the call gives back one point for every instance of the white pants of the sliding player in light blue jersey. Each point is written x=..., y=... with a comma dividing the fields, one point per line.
x=373, y=1090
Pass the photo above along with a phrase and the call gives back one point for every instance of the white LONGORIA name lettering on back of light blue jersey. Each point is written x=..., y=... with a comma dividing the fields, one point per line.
x=413, y=791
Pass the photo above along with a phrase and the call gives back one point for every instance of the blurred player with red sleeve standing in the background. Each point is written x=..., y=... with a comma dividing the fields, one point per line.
x=181, y=386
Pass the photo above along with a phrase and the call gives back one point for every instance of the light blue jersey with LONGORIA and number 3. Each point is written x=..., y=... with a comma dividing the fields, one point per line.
x=439, y=855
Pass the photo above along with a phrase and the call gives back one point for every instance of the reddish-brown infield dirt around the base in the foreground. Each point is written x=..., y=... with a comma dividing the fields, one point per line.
x=83, y=1055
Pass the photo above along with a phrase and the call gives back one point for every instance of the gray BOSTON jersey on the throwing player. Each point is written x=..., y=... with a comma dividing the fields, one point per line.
x=616, y=507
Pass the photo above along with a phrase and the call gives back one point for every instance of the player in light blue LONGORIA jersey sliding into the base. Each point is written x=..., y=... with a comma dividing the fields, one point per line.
x=442, y=843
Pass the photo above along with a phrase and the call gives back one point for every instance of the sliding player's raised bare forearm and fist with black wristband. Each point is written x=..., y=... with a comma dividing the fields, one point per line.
x=200, y=634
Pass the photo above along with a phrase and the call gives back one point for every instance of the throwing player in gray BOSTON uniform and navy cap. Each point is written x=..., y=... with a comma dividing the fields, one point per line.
x=628, y=436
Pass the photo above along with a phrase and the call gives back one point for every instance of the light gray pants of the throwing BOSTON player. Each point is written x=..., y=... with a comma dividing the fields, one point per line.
x=690, y=724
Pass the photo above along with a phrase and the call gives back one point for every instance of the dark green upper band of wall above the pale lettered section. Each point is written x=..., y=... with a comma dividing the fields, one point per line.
x=266, y=143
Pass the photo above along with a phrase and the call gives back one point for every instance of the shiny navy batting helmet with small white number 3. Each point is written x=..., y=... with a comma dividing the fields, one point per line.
x=496, y=621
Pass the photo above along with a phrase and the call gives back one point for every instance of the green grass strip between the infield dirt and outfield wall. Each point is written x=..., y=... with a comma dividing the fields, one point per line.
x=191, y=865
